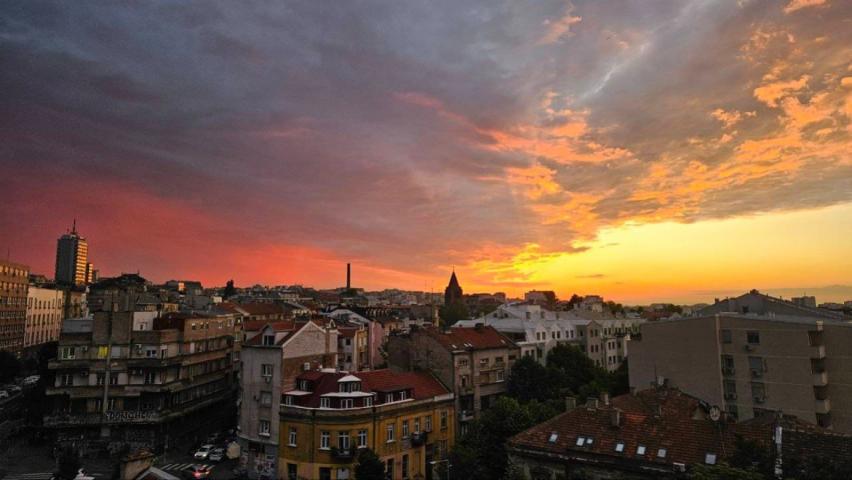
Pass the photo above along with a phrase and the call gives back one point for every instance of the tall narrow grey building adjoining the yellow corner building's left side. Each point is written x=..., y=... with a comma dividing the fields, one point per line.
x=272, y=359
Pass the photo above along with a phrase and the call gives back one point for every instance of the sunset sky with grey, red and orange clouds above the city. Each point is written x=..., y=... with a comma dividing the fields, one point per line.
x=645, y=150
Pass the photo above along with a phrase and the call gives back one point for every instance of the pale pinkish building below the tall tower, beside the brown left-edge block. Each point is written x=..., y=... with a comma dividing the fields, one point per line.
x=45, y=312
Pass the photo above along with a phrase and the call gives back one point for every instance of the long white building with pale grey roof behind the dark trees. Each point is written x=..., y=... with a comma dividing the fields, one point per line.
x=537, y=330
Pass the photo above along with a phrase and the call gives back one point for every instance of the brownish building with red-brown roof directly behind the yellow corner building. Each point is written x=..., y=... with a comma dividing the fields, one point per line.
x=475, y=362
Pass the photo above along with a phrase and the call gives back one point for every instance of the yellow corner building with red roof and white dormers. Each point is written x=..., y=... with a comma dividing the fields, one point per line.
x=405, y=418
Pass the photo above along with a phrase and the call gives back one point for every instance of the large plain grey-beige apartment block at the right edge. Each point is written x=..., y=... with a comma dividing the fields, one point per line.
x=748, y=364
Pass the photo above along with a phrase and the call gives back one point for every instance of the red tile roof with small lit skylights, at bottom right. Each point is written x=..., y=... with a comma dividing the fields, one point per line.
x=655, y=418
